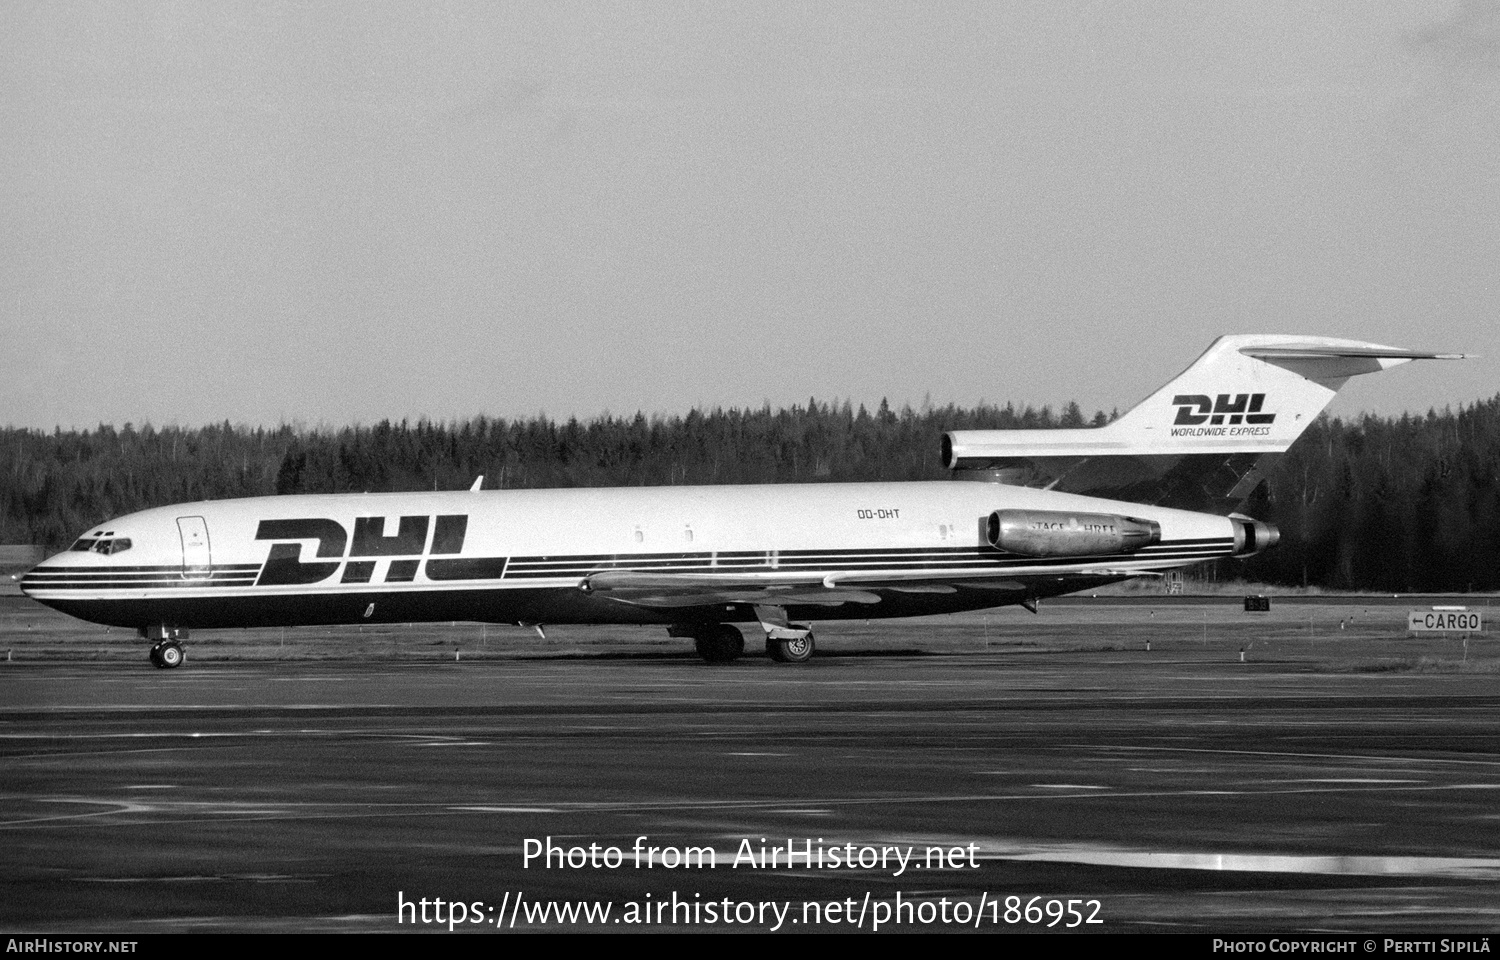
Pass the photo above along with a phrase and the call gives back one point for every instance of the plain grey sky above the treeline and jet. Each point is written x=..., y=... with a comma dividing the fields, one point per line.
x=338, y=214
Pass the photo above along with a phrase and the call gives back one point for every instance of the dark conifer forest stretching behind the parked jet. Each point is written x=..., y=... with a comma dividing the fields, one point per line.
x=1373, y=503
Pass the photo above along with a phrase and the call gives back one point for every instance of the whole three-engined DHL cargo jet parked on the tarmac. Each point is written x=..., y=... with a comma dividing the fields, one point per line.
x=1054, y=512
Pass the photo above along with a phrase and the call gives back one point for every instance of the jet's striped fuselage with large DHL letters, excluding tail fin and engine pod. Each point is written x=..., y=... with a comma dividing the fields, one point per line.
x=628, y=556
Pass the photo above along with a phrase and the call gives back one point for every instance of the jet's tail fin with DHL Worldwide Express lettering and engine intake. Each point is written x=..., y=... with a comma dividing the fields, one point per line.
x=1202, y=442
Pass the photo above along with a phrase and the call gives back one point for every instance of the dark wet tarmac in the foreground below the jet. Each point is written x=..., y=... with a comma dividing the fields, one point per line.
x=1175, y=790
